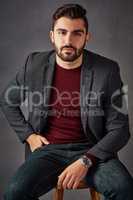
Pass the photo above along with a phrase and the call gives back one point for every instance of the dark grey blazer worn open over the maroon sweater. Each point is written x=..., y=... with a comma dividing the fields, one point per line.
x=103, y=123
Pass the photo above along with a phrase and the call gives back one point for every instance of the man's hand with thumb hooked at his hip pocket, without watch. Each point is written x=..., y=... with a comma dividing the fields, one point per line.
x=35, y=141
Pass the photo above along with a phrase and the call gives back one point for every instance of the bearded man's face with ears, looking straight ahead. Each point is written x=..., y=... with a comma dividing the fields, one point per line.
x=69, y=38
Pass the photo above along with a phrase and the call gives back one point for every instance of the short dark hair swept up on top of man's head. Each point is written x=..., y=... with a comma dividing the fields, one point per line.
x=72, y=11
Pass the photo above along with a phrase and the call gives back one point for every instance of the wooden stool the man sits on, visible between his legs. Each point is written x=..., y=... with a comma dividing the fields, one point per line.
x=59, y=193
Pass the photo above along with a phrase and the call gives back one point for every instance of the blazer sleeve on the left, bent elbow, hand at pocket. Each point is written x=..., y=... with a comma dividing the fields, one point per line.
x=10, y=101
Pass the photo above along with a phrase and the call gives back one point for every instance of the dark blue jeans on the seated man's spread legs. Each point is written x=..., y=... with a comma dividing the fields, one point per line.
x=39, y=174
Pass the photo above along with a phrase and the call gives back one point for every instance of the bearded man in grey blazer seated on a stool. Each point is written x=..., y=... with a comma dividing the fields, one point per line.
x=75, y=126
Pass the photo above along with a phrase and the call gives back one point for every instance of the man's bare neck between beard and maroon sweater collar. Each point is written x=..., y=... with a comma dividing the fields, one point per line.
x=69, y=65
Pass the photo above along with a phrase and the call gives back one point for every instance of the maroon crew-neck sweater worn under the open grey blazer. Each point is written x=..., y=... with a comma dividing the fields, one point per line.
x=64, y=122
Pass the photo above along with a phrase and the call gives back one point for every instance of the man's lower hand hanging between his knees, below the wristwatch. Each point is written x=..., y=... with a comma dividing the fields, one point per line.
x=72, y=175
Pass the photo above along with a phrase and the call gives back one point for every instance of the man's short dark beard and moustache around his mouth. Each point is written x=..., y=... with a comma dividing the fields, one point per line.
x=68, y=53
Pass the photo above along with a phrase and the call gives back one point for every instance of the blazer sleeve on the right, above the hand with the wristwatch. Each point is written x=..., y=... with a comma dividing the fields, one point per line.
x=116, y=118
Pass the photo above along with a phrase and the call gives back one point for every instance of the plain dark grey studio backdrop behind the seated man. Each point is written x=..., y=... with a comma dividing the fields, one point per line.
x=24, y=28
